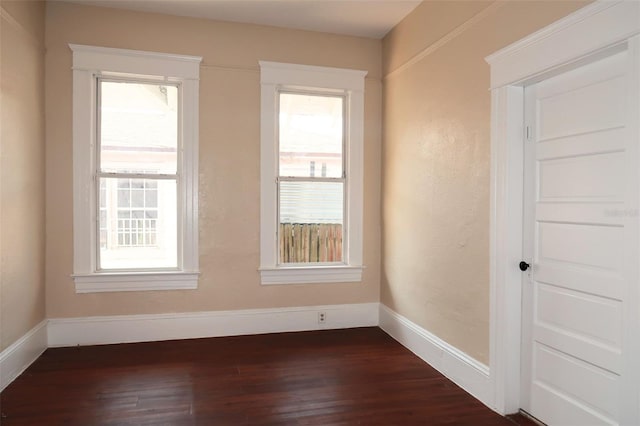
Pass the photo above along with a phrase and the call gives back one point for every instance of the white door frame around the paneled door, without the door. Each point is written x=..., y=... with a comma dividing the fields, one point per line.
x=575, y=39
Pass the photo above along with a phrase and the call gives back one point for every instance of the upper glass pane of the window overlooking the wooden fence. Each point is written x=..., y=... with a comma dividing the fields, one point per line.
x=310, y=135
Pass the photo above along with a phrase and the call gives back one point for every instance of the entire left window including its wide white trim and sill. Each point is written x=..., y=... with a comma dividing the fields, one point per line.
x=135, y=141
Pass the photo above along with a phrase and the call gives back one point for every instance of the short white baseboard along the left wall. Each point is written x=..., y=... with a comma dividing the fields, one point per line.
x=21, y=354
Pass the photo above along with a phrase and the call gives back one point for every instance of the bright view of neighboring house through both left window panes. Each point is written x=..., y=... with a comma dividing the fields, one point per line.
x=137, y=174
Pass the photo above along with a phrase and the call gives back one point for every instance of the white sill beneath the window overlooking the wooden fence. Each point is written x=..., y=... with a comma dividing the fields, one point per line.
x=310, y=274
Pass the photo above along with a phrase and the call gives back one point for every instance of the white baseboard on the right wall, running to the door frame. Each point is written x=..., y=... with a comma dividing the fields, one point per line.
x=468, y=373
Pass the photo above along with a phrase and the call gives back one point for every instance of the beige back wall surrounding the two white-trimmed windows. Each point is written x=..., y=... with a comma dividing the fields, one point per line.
x=229, y=156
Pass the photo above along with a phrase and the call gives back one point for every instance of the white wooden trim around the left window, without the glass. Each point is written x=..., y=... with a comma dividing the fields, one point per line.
x=88, y=63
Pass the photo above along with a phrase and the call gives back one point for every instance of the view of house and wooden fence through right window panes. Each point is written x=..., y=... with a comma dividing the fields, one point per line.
x=311, y=177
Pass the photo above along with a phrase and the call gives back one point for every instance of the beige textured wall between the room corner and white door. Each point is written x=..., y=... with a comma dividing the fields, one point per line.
x=436, y=161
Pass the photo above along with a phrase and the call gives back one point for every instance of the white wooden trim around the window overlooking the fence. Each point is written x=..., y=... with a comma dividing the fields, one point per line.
x=273, y=77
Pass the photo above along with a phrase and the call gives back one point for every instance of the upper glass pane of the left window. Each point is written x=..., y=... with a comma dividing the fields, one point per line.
x=138, y=127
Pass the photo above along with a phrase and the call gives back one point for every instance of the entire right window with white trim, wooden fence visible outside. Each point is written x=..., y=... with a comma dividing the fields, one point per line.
x=311, y=174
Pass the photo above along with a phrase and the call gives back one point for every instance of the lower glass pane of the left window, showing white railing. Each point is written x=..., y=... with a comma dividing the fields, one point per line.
x=142, y=235
